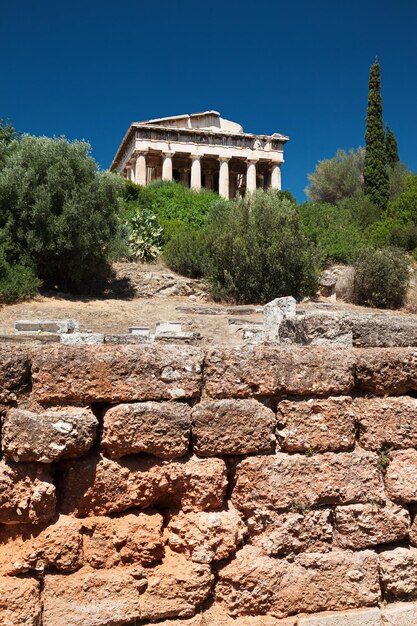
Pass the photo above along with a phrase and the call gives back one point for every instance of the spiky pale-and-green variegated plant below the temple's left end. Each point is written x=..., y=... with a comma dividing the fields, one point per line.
x=145, y=236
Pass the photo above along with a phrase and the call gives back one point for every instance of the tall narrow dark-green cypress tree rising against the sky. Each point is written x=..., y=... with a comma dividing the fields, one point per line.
x=375, y=170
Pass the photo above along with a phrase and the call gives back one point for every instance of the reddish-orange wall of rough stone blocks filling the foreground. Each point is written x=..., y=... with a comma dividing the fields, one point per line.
x=263, y=486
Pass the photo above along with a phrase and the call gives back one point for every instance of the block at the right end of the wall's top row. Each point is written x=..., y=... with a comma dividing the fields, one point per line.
x=386, y=371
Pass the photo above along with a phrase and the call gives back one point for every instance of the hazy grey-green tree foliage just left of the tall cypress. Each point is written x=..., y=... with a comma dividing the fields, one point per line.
x=337, y=178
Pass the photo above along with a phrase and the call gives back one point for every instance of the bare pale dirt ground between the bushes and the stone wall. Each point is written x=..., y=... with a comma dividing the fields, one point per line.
x=154, y=293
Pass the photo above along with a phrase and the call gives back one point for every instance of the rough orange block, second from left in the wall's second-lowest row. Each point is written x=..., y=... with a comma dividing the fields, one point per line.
x=126, y=539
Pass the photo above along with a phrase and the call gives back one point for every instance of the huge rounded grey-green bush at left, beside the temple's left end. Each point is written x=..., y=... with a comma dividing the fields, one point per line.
x=58, y=211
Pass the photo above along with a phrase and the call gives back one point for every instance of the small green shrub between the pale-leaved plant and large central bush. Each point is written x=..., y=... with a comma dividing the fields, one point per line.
x=185, y=253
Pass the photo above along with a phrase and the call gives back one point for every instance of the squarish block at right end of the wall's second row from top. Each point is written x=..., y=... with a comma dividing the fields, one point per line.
x=387, y=422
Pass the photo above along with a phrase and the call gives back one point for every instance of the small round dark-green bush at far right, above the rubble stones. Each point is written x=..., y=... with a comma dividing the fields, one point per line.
x=381, y=278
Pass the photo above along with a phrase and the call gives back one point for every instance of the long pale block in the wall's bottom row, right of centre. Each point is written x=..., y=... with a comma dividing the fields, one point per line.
x=256, y=584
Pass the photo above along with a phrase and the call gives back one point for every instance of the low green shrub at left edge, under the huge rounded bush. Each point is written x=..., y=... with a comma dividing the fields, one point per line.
x=16, y=282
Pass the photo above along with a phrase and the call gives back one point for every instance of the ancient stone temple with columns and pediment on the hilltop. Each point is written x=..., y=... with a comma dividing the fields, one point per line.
x=201, y=150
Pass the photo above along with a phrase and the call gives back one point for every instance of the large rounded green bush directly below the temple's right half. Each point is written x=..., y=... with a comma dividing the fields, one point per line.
x=256, y=250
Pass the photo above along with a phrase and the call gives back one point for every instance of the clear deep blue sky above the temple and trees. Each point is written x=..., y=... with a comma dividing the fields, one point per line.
x=87, y=68
